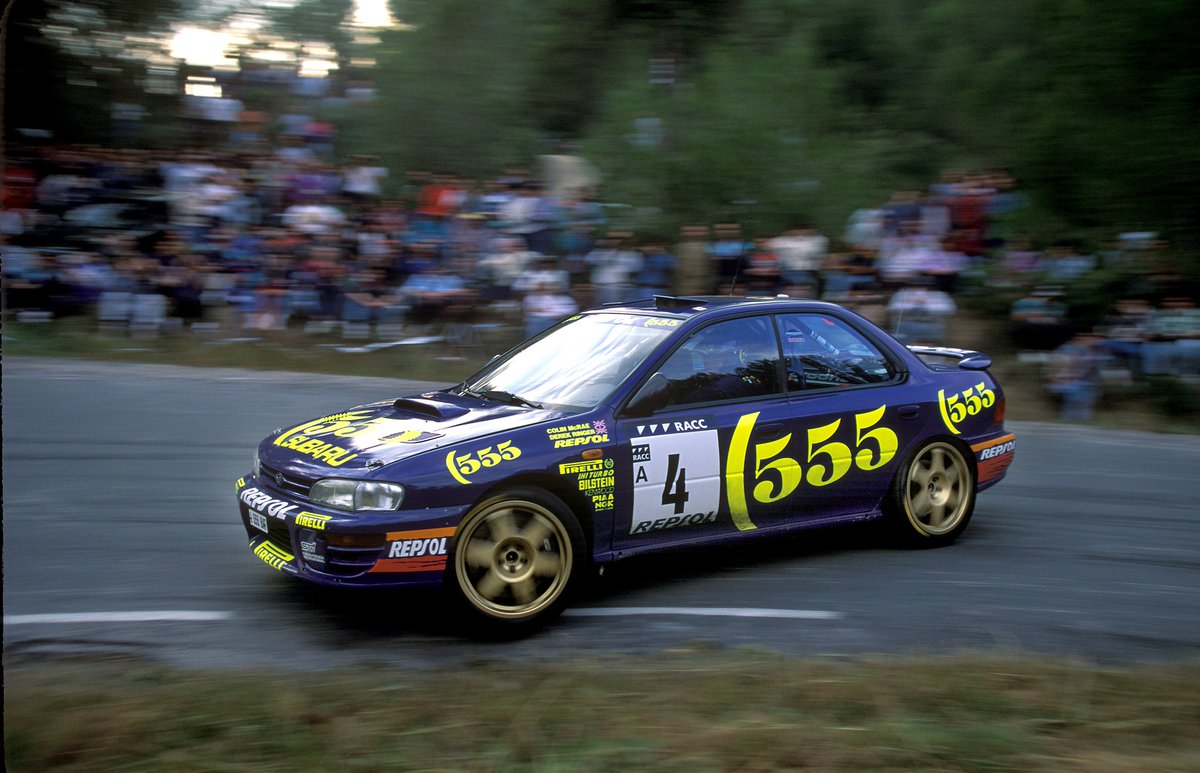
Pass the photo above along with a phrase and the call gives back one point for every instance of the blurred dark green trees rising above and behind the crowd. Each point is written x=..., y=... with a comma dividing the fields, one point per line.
x=811, y=111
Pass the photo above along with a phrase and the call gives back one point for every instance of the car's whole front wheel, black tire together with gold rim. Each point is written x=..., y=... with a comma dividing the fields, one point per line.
x=515, y=558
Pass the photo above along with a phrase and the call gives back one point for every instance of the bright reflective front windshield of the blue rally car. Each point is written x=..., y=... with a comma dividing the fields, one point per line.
x=577, y=365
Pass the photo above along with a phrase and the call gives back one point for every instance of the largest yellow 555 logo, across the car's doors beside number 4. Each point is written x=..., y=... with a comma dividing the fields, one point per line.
x=777, y=477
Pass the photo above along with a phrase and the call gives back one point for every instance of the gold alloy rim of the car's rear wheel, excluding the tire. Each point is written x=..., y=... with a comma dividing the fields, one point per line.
x=939, y=490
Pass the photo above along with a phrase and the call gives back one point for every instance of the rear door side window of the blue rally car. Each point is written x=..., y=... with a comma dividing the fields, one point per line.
x=823, y=352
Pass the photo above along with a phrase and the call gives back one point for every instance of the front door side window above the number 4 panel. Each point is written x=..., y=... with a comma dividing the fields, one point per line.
x=728, y=361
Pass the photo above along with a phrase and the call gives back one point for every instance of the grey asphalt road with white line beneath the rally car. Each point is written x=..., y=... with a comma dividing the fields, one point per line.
x=122, y=535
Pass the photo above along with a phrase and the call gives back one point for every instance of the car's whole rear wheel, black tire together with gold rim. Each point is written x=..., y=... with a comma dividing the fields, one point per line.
x=934, y=495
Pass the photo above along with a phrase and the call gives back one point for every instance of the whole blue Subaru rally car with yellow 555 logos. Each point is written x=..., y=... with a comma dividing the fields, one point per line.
x=629, y=429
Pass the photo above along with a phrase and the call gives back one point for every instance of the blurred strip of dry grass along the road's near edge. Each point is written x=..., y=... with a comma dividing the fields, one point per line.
x=682, y=711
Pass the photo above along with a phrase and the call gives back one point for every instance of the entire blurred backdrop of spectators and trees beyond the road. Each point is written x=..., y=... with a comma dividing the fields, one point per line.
x=1015, y=176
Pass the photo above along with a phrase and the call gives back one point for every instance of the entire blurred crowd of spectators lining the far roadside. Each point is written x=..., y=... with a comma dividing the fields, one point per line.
x=265, y=238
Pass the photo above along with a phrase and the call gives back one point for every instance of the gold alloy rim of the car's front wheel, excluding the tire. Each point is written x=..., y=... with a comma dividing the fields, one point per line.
x=514, y=559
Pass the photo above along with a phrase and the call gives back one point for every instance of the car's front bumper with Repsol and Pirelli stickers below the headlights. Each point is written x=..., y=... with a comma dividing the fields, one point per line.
x=343, y=549
